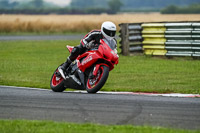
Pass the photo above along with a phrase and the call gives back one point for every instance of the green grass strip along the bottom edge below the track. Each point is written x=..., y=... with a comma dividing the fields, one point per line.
x=23, y=126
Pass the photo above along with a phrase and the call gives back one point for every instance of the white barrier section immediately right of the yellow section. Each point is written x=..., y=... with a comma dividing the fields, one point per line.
x=179, y=39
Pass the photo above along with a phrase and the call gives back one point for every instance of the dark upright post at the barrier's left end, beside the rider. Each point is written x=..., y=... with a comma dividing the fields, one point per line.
x=124, y=39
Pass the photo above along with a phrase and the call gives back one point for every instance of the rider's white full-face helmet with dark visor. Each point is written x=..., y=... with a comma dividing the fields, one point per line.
x=108, y=30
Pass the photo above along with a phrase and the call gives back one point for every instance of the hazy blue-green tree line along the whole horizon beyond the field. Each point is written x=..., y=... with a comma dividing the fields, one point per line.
x=100, y=6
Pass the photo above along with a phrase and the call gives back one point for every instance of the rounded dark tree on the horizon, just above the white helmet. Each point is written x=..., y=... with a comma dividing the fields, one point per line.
x=115, y=5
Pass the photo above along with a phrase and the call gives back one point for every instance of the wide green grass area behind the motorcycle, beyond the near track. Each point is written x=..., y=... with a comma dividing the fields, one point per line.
x=31, y=63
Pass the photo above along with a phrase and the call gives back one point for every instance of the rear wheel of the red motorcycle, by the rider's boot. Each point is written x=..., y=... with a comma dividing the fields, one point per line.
x=57, y=83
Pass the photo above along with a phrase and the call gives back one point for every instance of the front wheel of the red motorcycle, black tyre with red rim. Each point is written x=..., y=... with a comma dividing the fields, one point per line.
x=95, y=83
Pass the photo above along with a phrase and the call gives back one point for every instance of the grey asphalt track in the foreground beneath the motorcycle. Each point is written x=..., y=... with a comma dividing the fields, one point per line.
x=33, y=104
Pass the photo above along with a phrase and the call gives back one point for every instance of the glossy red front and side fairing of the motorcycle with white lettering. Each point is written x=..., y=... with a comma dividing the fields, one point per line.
x=104, y=54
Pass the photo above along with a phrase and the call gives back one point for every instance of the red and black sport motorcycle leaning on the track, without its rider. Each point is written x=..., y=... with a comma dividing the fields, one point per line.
x=89, y=71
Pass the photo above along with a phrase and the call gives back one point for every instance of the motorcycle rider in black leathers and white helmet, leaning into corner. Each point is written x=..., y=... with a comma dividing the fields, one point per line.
x=91, y=40
